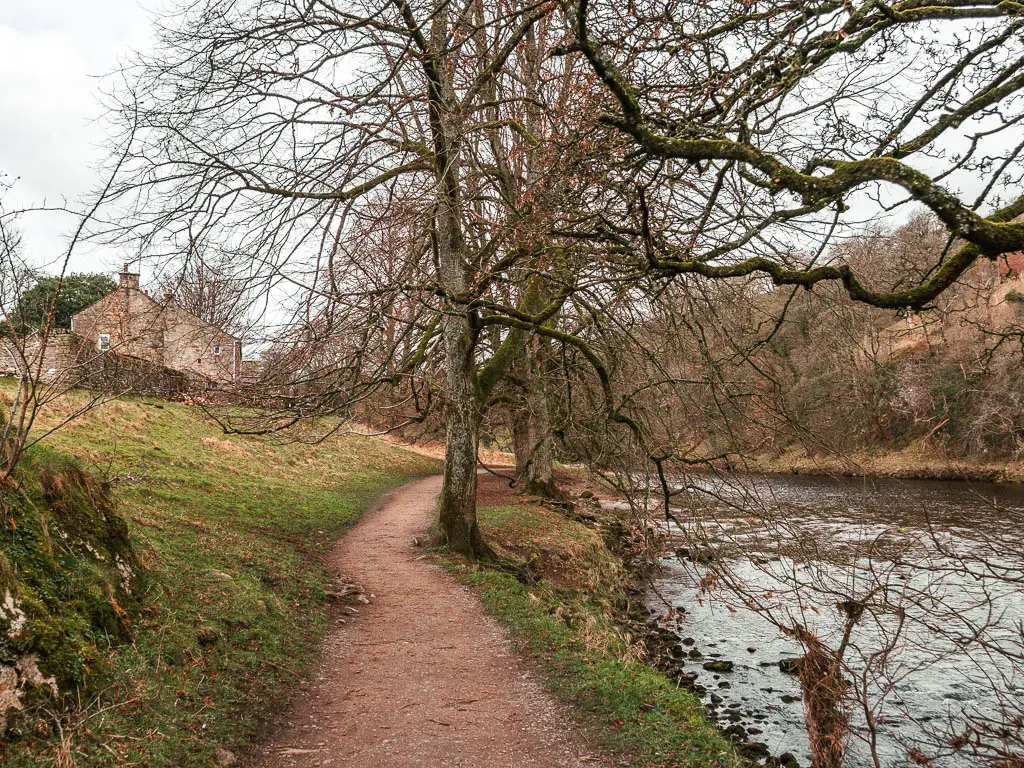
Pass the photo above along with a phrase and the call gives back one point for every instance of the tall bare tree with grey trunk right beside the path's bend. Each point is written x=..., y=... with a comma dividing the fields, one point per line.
x=280, y=131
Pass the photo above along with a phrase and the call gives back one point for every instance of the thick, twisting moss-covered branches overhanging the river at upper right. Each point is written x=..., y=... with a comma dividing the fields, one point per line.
x=824, y=185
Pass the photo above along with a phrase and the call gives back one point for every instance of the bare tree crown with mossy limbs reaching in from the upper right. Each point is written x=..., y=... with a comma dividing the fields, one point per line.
x=771, y=105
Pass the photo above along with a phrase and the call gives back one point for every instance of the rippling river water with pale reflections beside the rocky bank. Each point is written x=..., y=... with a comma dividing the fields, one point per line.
x=934, y=571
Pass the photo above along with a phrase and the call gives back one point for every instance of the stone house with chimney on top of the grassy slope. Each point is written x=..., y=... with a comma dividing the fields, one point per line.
x=132, y=323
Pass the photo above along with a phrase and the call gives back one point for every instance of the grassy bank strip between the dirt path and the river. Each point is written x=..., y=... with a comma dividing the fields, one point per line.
x=568, y=624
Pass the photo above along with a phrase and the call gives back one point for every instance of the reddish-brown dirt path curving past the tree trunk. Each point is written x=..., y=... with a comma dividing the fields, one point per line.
x=421, y=676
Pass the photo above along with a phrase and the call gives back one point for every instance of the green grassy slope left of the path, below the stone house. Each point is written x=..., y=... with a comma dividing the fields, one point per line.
x=231, y=534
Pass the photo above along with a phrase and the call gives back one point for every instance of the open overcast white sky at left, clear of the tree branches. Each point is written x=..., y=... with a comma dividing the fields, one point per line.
x=53, y=56
